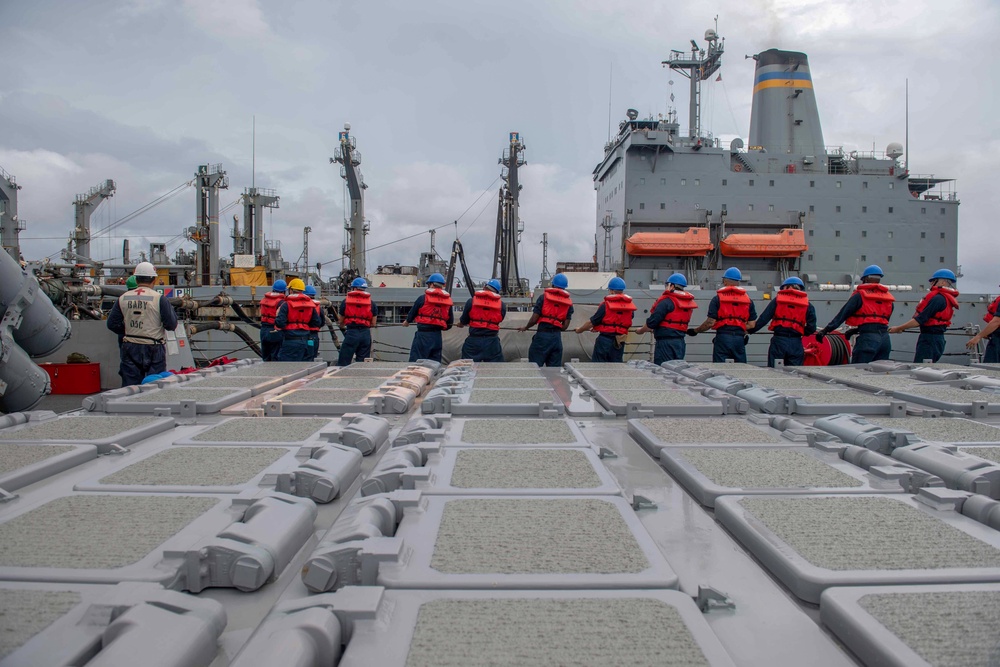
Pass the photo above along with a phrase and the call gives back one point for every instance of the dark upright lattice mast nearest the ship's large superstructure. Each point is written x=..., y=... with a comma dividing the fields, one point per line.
x=509, y=225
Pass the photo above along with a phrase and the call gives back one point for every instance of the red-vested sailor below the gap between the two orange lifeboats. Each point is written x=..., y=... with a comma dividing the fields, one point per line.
x=729, y=313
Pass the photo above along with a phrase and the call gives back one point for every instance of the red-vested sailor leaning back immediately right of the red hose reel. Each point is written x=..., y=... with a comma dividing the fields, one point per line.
x=869, y=310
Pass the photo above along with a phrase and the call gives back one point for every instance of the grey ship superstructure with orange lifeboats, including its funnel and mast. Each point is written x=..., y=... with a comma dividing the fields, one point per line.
x=672, y=200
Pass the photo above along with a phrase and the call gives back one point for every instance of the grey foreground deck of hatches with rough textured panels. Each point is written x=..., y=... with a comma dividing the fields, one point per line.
x=579, y=515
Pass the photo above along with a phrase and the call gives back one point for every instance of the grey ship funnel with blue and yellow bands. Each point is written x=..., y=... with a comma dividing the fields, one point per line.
x=784, y=118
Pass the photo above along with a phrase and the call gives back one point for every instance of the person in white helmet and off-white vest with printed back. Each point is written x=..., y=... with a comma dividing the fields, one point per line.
x=142, y=316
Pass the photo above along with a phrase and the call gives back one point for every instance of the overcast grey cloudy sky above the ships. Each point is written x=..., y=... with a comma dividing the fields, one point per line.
x=143, y=91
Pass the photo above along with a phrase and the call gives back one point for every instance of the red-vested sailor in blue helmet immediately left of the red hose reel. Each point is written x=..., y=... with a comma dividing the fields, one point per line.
x=791, y=317
